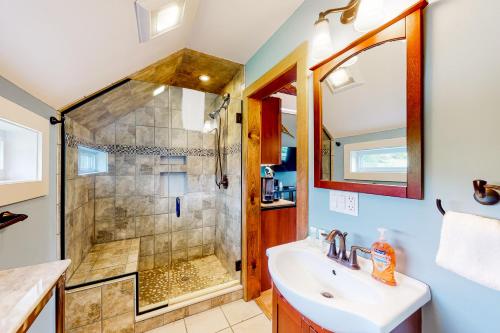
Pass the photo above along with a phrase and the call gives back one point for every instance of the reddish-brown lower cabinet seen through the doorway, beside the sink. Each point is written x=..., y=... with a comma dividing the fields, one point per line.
x=278, y=226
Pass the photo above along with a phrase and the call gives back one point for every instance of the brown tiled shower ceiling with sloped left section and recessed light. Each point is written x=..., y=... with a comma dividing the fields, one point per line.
x=180, y=69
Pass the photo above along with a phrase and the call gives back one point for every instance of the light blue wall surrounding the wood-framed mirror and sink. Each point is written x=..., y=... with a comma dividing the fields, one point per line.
x=462, y=114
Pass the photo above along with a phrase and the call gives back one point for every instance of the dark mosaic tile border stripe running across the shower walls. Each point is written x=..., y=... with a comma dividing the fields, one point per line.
x=72, y=141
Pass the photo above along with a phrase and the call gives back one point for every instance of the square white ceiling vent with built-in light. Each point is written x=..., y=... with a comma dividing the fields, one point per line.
x=156, y=17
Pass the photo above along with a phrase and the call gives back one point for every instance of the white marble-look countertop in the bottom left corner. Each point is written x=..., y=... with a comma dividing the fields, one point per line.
x=22, y=288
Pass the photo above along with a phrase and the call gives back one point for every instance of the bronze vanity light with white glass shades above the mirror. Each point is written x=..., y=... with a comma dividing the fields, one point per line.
x=366, y=15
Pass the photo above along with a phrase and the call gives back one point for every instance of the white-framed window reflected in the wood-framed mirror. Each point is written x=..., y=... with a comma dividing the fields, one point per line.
x=382, y=160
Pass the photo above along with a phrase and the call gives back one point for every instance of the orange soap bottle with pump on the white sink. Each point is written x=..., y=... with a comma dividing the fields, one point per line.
x=384, y=260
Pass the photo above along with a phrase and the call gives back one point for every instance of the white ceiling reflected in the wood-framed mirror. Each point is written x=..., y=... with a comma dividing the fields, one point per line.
x=379, y=103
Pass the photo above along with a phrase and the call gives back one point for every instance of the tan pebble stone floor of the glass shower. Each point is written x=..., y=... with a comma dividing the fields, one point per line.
x=162, y=283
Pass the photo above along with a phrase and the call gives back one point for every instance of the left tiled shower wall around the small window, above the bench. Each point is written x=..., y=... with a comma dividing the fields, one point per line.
x=79, y=207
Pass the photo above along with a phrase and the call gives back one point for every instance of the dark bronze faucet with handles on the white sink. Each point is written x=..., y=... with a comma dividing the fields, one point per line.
x=340, y=255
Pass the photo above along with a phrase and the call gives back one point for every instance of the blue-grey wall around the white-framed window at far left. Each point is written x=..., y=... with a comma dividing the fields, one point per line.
x=34, y=240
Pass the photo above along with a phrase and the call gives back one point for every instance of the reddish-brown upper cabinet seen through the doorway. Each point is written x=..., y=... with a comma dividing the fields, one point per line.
x=270, y=138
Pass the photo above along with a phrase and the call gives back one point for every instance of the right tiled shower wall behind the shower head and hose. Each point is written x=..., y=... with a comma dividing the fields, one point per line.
x=228, y=233
